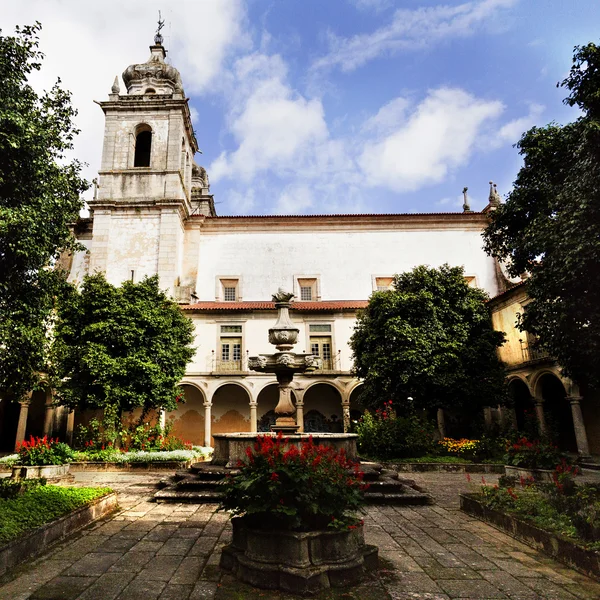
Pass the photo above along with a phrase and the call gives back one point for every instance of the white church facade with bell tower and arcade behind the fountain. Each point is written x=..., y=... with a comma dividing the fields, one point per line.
x=153, y=213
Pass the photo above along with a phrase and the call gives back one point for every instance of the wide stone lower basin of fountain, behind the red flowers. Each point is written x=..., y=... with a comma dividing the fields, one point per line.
x=231, y=447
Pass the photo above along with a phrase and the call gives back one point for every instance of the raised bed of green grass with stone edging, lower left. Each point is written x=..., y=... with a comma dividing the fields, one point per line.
x=31, y=522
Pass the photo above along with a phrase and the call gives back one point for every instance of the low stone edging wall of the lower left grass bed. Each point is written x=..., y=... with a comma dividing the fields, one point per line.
x=35, y=542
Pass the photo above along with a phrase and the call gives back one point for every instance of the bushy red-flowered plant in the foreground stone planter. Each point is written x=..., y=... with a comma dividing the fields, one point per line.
x=282, y=487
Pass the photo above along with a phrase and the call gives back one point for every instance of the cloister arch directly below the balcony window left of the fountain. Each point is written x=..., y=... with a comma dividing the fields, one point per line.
x=231, y=408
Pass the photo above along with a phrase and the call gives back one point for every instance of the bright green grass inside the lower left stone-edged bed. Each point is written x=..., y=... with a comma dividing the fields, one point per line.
x=41, y=505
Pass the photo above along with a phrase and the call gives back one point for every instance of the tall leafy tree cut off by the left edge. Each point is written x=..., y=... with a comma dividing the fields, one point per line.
x=39, y=197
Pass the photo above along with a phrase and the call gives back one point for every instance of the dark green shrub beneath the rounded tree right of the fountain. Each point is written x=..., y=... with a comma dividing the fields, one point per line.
x=384, y=435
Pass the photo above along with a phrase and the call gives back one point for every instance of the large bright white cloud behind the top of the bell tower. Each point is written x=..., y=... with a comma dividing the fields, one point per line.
x=88, y=43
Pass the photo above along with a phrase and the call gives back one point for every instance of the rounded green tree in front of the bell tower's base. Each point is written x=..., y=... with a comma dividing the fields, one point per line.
x=119, y=348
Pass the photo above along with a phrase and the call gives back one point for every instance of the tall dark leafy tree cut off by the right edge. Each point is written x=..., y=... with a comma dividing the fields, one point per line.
x=549, y=227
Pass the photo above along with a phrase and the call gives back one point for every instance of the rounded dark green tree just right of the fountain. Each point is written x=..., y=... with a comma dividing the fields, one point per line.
x=430, y=338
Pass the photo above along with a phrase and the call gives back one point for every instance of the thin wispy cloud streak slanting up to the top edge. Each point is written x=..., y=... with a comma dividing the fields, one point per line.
x=411, y=30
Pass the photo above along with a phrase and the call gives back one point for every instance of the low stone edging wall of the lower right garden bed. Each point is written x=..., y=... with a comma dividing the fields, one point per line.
x=555, y=545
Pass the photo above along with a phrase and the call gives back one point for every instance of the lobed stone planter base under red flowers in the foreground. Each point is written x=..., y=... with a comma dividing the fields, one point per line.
x=301, y=563
